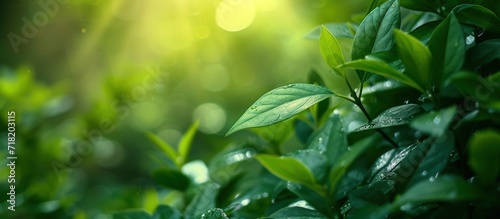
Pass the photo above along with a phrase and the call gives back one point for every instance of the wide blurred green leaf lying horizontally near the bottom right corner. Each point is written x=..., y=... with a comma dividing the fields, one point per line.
x=444, y=188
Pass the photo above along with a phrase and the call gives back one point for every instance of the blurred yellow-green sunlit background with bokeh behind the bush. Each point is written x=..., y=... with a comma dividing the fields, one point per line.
x=88, y=78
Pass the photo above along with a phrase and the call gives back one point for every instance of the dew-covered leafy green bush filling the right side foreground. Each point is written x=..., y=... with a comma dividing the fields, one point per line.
x=417, y=136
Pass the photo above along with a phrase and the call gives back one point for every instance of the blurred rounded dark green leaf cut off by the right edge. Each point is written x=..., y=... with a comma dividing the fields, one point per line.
x=484, y=151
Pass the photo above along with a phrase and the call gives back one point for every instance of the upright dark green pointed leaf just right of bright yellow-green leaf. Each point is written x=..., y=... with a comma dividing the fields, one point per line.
x=447, y=46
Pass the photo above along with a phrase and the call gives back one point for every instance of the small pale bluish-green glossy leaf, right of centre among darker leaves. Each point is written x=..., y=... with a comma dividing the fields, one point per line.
x=435, y=123
